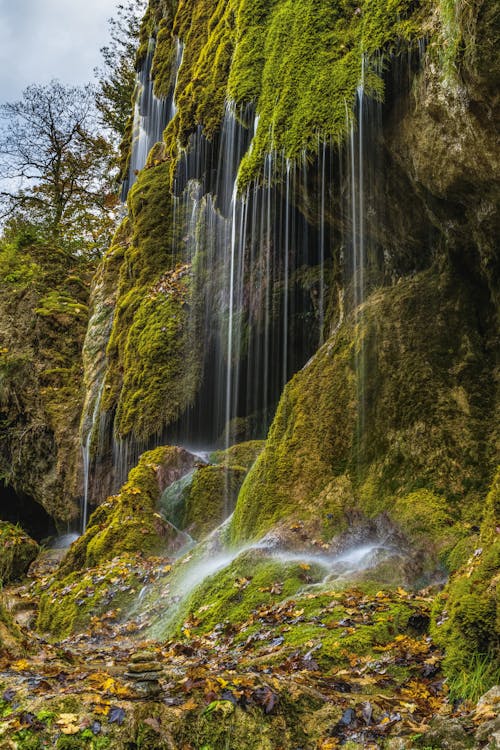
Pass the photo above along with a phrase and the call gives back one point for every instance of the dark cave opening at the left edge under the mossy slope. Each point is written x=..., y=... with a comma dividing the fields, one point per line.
x=19, y=508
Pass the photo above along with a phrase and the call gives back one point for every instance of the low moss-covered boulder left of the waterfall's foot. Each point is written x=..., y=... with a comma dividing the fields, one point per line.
x=129, y=521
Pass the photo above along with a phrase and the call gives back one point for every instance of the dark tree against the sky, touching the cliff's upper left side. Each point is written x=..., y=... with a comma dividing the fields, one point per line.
x=117, y=77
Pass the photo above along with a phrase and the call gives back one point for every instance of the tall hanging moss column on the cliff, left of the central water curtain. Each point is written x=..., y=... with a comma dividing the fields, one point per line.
x=152, y=318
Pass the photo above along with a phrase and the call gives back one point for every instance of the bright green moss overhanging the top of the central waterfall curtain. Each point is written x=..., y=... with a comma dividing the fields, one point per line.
x=247, y=51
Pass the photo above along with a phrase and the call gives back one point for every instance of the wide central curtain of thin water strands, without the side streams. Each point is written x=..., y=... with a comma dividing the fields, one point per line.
x=259, y=307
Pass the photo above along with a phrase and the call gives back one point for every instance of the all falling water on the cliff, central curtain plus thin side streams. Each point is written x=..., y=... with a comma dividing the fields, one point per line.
x=261, y=267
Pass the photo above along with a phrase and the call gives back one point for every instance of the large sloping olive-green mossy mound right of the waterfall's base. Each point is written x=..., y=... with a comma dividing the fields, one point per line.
x=419, y=422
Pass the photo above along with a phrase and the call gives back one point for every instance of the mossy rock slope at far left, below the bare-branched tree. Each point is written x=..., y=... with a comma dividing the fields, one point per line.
x=43, y=317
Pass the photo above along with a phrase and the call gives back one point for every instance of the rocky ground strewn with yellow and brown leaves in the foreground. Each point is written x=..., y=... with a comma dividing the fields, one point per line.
x=325, y=668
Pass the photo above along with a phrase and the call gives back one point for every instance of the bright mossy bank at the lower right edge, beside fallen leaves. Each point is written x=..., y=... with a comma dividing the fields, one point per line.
x=466, y=618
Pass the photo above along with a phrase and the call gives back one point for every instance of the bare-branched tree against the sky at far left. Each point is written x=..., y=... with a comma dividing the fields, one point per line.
x=55, y=164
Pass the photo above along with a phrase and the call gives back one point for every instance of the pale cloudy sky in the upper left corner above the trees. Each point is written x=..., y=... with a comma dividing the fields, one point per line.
x=45, y=39
